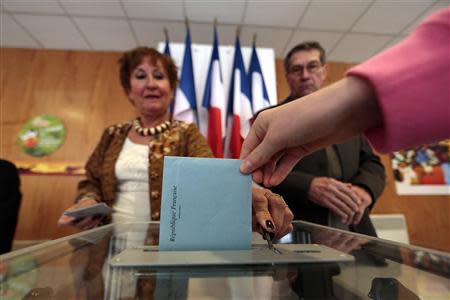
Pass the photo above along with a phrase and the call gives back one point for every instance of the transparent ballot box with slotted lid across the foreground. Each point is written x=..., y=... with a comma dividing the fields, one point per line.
x=122, y=261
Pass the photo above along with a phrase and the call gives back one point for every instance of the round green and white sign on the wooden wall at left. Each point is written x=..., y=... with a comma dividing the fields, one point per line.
x=41, y=135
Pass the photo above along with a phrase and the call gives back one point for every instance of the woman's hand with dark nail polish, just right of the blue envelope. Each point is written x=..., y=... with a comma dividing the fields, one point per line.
x=271, y=213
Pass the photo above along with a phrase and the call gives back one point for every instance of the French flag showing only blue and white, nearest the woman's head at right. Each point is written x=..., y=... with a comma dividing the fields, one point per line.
x=185, y=106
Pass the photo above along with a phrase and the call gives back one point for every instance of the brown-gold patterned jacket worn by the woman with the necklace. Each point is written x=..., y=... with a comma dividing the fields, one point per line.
x=181, y=139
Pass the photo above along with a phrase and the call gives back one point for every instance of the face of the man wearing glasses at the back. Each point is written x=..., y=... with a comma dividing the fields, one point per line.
x=306, y=74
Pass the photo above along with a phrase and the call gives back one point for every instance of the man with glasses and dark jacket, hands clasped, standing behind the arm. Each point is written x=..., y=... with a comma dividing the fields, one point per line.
x=336, y=186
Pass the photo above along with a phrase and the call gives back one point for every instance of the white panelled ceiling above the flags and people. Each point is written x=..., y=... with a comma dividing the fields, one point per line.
x=350, y=30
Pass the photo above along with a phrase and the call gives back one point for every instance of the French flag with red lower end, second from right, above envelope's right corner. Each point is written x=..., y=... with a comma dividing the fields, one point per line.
x=239, y=105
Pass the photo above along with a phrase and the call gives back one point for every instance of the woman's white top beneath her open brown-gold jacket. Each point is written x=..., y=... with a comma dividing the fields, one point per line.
x=132, y=201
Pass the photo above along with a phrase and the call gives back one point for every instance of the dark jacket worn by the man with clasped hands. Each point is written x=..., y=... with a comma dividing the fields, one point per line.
x=360, y=166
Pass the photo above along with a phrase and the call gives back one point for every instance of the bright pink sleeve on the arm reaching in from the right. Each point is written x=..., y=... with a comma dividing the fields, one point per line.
x=411, y=81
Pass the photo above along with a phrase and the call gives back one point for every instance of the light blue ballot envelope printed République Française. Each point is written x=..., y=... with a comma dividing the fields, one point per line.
x=206, y=205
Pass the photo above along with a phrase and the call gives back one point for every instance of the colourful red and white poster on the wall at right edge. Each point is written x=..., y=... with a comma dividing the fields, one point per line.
x=424, y=170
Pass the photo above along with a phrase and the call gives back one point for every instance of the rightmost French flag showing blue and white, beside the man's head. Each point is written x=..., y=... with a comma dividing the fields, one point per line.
x=258, y=91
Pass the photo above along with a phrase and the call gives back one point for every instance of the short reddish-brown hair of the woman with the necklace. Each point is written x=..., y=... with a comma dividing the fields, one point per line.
x=133, y=58
